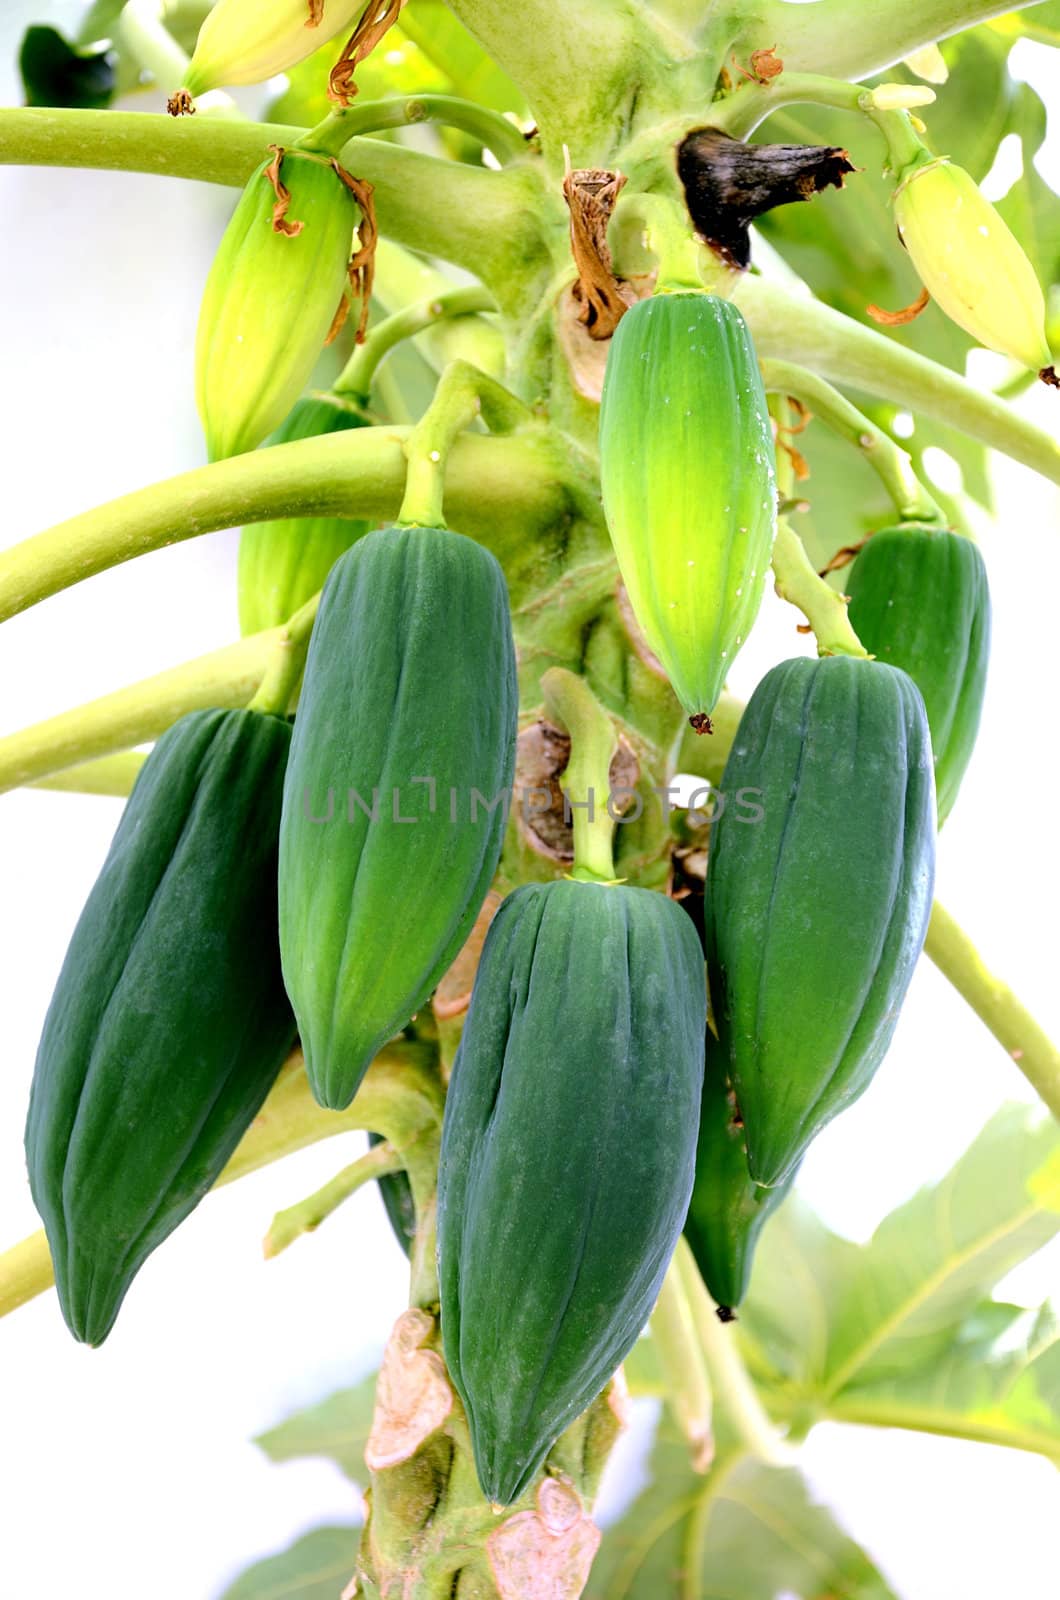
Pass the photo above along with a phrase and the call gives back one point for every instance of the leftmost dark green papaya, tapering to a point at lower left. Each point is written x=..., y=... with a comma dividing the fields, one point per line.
x=169, y=1023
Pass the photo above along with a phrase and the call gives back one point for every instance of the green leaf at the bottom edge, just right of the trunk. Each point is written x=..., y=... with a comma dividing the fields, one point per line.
x=742, y=1530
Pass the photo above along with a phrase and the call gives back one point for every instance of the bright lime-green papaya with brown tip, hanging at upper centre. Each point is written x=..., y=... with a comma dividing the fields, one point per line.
x=689, y=481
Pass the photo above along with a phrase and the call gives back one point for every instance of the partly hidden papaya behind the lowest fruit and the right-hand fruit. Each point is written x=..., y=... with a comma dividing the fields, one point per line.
x=728, y=1209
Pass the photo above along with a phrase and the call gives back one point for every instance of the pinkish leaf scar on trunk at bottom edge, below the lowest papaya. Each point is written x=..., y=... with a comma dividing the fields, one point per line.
x=545, y=1554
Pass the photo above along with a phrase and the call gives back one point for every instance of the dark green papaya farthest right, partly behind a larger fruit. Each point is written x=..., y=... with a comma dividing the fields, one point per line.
x=920, y=601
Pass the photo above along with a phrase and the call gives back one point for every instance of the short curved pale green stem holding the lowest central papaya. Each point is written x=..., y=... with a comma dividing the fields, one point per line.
x=572, y=706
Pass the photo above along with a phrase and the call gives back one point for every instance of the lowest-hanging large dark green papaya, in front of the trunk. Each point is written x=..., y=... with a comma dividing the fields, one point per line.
x=568, y=1158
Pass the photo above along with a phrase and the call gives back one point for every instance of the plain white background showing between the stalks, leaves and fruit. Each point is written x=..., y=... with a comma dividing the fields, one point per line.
x=129, y=1471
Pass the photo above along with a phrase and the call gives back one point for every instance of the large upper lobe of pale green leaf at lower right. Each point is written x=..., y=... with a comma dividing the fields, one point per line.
x=827, y=1318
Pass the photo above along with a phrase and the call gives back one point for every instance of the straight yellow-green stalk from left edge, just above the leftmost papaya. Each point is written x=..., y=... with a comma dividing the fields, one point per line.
x=139, y=713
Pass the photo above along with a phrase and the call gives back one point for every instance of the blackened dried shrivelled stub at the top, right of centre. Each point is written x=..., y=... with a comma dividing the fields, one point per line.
x=729, y=185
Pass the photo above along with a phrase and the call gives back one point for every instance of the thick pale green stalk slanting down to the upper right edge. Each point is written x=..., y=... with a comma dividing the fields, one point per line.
x=798, y=329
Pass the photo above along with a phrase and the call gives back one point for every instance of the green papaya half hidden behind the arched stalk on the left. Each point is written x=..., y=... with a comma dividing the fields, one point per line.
x=284, y=564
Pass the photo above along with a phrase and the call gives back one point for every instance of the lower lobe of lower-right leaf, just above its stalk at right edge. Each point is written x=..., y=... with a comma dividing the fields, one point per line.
x=997, y=1382
